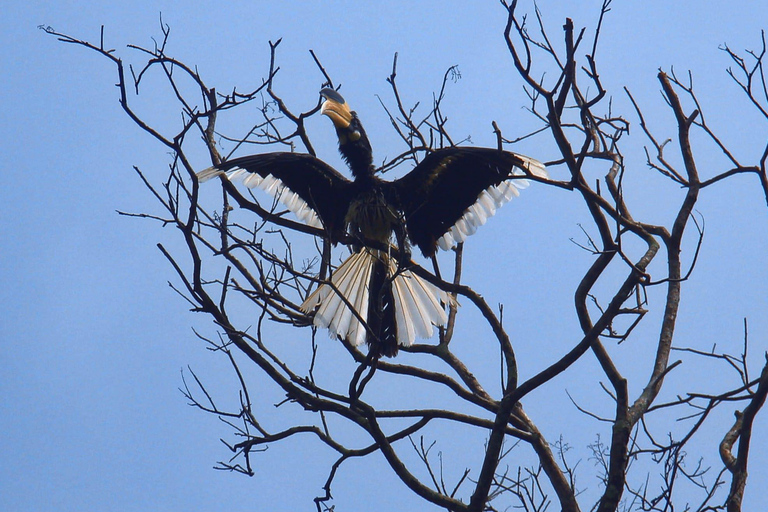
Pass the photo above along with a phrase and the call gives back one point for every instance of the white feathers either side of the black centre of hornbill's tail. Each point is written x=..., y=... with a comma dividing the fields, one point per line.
x=419, y=305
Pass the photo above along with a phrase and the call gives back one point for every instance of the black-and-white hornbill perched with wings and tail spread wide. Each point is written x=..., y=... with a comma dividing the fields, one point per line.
x=440, y=202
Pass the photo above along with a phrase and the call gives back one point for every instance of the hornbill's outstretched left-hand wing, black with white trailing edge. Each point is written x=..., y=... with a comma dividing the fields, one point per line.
x=315, y=192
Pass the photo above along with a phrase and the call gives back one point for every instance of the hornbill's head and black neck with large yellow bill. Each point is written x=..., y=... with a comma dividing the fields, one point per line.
x=353, y=142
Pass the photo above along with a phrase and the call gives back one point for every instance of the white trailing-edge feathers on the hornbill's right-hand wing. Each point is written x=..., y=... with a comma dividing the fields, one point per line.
x=490, y=200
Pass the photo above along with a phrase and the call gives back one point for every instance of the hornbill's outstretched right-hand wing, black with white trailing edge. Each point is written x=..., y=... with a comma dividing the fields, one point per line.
x=455, y=190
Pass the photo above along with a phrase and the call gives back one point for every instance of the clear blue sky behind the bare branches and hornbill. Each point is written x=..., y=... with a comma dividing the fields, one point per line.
x=93, y=340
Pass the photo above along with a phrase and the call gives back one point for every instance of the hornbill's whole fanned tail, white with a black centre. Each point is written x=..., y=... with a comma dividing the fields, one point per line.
x=395, y=310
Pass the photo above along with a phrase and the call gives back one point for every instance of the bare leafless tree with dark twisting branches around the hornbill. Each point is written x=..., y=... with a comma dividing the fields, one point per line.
x=243, y=258
